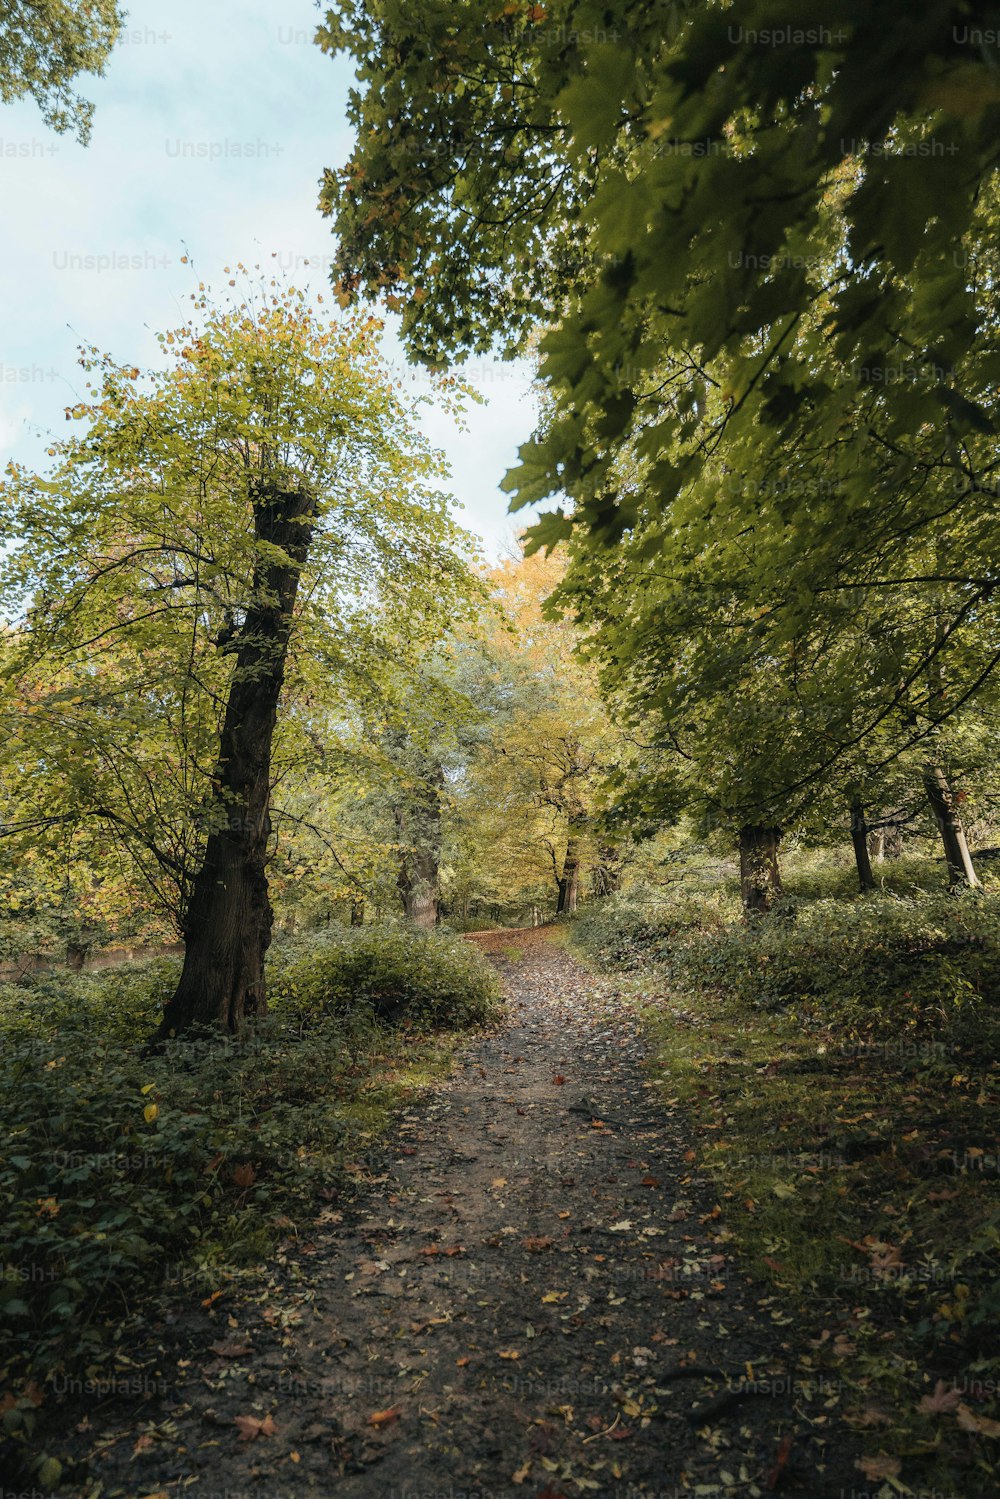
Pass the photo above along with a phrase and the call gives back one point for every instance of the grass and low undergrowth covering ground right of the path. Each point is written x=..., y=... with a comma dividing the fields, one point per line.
x=852, y=1131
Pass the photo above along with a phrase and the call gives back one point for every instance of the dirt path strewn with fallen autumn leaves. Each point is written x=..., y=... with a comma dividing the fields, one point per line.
x=519, y=1303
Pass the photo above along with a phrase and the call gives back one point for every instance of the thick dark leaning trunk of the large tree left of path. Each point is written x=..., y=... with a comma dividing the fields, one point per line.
x=229, y=921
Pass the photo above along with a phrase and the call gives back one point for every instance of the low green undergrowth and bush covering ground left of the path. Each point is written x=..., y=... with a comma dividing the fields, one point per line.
x=122, y=1171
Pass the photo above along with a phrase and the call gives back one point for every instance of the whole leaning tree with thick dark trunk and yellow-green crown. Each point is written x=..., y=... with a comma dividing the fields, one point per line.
x=266, y=489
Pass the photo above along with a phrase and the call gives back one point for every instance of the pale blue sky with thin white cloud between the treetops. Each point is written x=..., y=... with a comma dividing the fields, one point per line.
x=212, y=130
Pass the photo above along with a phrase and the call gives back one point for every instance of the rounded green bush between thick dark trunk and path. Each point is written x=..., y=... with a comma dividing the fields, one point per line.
x=424, y=981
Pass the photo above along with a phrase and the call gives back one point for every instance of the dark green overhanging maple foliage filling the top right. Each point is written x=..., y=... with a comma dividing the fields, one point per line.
x=689, y=190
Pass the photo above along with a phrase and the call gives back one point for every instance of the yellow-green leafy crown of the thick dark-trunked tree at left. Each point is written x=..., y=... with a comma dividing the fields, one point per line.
x=128, y=620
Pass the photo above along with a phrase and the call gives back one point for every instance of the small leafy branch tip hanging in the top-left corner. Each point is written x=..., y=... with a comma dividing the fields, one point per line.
x=46, y=46
